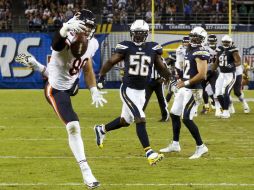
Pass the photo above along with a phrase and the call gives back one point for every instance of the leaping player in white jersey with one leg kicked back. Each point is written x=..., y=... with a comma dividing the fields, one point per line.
x=63, y=73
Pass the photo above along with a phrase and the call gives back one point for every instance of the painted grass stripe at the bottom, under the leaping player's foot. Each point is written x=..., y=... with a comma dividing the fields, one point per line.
x=132, y=184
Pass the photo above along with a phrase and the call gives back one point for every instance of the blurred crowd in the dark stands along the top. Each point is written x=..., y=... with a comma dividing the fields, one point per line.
x=47, y=15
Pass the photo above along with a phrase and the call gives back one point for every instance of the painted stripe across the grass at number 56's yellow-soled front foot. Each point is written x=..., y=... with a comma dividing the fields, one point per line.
x=120, y=157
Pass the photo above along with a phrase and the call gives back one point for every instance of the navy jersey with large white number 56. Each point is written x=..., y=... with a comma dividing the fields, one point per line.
x=138, y=62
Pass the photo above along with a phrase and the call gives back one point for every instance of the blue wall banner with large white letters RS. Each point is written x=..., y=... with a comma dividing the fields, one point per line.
x=14, y=75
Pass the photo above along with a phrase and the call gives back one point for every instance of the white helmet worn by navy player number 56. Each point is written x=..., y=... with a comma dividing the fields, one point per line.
x=139, y=32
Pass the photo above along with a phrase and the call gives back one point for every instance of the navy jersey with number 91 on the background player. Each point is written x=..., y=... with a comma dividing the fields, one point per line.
x=226, y=59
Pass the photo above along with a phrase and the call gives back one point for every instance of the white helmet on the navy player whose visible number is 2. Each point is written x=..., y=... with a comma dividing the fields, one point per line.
x=197, y=36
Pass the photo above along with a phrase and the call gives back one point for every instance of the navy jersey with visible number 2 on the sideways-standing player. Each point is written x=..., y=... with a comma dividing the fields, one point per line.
x=190, y=65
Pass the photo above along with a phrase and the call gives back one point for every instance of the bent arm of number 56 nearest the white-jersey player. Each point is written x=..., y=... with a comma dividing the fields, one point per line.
x=115, y=58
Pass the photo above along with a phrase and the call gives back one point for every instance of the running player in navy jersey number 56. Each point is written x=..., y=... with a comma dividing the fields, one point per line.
x=139, y=56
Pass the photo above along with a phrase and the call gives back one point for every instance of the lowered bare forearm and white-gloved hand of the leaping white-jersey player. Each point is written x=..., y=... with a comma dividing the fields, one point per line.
x=97, y=96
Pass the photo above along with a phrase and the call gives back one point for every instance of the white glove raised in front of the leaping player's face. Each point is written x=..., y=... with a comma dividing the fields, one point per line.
x=74, y=24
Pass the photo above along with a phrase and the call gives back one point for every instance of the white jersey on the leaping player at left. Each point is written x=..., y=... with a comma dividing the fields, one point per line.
x=64, y=68
